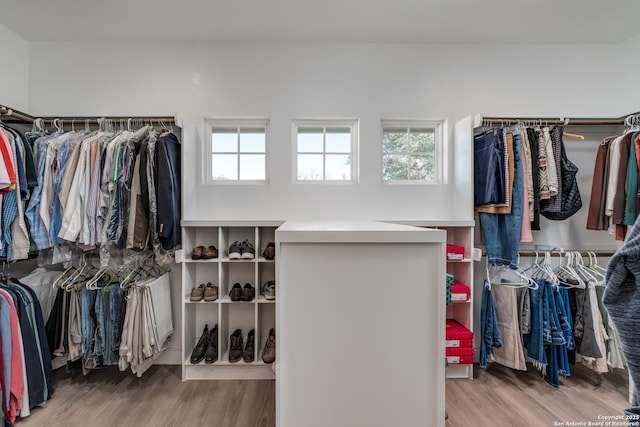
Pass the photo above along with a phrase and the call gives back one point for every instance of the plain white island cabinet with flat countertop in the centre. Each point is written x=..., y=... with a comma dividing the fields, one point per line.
x=360, y=325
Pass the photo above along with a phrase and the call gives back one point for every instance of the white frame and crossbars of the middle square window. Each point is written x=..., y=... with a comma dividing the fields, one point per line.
x=351, y=123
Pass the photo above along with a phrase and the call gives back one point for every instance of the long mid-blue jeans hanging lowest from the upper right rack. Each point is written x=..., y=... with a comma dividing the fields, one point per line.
x=502, y=231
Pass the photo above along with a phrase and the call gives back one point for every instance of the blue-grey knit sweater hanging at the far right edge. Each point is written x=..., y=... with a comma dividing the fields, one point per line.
x=622, y=298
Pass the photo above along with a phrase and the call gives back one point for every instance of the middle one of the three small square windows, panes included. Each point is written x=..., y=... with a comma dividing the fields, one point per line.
x=326, y=150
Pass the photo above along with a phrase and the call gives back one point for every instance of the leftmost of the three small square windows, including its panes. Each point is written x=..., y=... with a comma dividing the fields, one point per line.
x=238, y=150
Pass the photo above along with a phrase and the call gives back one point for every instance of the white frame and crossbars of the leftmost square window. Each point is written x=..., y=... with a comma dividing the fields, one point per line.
x=242, y=122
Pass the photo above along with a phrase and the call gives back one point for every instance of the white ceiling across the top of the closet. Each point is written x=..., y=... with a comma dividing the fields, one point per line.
x=412, y=21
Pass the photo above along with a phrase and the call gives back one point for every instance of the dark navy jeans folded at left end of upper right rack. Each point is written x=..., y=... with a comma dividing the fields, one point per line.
x=490, y=169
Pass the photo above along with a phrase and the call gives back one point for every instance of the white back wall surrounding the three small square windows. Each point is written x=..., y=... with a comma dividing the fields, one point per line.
x=285, y=81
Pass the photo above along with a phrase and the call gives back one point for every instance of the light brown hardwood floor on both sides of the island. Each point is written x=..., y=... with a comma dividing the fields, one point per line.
x=497, y=396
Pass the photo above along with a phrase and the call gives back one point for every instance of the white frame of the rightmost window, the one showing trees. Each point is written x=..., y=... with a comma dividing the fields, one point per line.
x=439, y=126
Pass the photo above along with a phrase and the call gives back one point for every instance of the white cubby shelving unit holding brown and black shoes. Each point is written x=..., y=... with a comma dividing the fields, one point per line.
x=258, y=314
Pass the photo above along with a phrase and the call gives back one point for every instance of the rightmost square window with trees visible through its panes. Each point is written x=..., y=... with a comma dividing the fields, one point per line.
x=411, y=151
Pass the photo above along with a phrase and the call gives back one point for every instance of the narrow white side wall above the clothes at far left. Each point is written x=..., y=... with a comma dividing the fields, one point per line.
x=14, y=84
